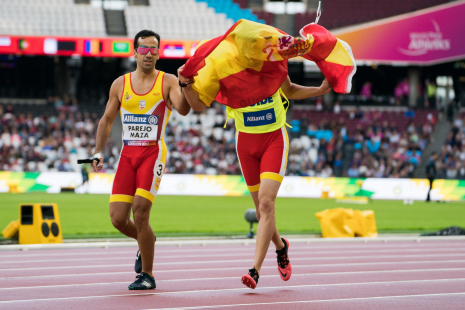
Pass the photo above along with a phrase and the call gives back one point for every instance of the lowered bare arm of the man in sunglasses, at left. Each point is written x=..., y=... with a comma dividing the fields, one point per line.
x=106, y=122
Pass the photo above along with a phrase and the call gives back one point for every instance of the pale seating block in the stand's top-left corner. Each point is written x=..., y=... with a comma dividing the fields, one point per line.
x=51, y=17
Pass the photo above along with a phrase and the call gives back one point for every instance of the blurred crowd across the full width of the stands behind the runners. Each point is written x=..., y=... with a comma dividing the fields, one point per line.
x=339, y=142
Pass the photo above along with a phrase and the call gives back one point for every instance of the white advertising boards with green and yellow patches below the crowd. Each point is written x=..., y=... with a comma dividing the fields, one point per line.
x=234, y=185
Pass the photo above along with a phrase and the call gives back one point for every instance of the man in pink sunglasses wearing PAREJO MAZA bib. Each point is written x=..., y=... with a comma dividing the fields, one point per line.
x=145, y=99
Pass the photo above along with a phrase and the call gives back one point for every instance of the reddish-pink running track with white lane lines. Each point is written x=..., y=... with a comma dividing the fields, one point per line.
x=333, y=275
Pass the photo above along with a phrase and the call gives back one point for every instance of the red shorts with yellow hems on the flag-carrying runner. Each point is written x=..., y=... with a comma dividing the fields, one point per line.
x=262, y=156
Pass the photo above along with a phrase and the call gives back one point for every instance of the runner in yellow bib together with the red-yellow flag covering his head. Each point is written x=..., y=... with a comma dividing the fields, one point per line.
x=246, y=70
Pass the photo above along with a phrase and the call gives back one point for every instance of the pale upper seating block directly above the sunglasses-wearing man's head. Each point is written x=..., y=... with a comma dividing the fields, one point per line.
x=177, y=20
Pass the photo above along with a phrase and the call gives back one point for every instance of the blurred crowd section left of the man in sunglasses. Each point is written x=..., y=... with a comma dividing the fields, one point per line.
x=48, y=141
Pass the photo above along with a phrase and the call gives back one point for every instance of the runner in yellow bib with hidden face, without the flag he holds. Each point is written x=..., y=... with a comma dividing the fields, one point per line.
x=262, y=146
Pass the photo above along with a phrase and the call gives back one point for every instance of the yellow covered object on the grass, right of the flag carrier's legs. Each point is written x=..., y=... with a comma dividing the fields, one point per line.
x=345, y=223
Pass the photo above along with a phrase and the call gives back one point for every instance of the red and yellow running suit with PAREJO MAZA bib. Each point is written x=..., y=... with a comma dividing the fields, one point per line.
x=143, y=157
